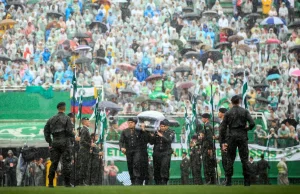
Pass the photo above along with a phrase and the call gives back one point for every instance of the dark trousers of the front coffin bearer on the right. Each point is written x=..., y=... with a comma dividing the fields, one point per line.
x=161, y=161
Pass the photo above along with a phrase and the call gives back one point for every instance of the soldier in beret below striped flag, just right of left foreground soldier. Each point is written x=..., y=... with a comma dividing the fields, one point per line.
x=85, y=145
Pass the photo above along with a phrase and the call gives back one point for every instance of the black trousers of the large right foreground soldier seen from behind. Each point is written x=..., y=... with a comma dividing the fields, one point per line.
x=242, y=144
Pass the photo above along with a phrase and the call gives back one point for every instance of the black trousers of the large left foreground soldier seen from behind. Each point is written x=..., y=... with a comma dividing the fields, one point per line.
x=55, y=154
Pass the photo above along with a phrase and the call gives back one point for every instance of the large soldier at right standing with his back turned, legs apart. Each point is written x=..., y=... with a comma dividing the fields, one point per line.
x=235, y=120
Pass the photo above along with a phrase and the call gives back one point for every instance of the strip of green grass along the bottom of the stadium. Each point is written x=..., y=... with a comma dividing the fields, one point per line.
x=154, y=190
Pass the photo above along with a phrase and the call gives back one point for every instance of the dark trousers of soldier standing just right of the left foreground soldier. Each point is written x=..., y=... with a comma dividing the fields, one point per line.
x=84, y=155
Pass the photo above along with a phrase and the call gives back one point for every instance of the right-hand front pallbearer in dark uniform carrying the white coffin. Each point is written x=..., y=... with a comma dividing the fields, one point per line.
x=162, y=151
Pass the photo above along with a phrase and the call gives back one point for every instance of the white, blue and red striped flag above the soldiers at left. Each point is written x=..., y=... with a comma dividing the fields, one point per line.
x=87, y=99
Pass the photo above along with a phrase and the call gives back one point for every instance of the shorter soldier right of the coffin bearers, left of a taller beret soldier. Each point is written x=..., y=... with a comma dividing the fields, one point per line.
x=196, y=158
